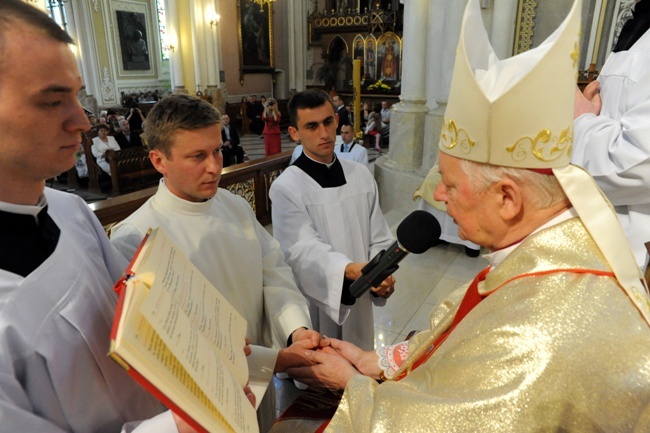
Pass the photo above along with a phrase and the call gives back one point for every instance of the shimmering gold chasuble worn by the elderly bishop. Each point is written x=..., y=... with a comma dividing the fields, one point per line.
x=547, y=350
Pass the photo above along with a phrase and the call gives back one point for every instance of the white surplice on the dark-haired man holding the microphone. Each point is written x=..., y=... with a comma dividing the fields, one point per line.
x=321, y=230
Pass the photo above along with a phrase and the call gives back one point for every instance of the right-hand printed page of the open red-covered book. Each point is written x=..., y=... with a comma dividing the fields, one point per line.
x=199, y=326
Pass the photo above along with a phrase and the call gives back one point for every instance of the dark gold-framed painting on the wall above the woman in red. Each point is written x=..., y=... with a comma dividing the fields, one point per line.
x=255, y=37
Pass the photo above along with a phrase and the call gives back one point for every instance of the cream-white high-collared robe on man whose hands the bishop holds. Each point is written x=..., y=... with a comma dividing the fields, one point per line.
x=224, y=240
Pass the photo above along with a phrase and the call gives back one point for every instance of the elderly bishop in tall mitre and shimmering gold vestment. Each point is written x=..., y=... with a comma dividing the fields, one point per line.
x=554, y=335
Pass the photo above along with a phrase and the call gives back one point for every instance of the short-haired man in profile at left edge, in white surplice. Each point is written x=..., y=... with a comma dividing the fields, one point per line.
x=57, y=267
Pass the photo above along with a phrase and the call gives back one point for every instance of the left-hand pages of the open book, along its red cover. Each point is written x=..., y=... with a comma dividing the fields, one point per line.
x=138, y=344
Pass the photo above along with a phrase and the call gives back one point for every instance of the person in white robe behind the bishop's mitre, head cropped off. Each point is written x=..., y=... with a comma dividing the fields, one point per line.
x=612, y=132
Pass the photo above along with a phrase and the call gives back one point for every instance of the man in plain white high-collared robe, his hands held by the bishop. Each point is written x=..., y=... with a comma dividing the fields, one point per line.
x=219, y=234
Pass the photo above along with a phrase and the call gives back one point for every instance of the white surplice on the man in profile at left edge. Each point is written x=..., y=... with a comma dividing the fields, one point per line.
x=55, y=374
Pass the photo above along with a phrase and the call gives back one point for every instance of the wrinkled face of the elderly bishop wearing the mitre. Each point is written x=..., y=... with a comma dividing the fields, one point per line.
x=471, y=211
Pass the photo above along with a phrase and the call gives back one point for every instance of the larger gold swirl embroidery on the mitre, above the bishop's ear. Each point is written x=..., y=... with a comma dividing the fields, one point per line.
x=544, y=147
